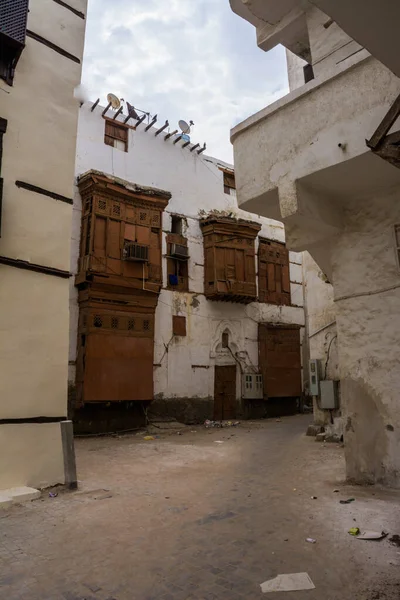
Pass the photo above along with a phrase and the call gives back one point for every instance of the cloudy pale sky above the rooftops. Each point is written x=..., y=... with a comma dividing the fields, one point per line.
x=182, y=59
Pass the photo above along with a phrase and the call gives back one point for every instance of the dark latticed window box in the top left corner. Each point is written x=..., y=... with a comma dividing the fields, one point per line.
x=13, y=19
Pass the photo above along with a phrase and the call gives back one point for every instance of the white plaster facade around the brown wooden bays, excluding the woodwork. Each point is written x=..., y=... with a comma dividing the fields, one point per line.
x=196, y=184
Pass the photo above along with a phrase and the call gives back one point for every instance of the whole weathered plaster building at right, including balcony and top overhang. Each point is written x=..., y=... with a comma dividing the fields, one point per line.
x=305, y=160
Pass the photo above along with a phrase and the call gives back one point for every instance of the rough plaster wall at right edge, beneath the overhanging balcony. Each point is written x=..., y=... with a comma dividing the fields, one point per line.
x=365, y=263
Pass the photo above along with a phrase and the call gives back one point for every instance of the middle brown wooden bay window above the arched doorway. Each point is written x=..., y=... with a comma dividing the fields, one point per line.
x=229, y=256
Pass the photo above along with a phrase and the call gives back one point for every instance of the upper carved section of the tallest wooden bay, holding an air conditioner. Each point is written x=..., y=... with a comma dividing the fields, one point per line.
x=121, y=232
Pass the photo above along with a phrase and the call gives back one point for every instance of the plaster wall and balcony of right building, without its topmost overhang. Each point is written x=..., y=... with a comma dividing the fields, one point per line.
x=340, y=203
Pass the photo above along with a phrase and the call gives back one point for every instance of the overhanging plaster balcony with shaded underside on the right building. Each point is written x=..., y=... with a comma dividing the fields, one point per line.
x=301, y=159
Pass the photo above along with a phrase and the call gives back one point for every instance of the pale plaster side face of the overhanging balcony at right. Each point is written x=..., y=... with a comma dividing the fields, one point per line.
x=299, y=135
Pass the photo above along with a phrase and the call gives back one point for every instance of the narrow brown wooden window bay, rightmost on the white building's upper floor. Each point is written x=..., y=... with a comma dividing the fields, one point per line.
x=273, y=272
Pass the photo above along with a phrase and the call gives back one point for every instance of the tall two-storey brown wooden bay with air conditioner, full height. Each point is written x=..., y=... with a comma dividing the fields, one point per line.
x=119, y=280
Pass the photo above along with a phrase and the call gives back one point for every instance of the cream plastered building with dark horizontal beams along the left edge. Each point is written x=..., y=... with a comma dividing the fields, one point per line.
x=40, y=65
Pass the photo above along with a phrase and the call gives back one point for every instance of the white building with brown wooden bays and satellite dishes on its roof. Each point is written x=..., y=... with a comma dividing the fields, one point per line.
x=182, y=304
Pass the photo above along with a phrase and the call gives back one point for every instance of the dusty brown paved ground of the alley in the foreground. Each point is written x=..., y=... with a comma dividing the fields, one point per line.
x=184, y=517
